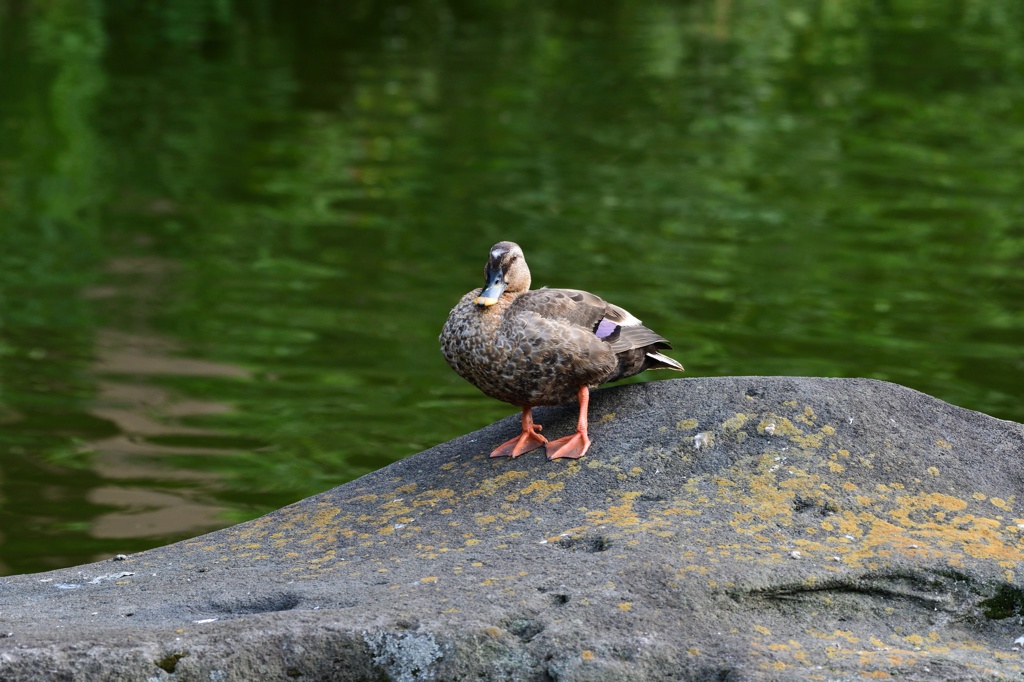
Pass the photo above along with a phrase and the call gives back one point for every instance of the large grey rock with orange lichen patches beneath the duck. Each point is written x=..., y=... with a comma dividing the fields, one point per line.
x=722, y=529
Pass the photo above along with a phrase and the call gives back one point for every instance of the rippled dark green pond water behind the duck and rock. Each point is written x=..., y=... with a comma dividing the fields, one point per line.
x=230, y=233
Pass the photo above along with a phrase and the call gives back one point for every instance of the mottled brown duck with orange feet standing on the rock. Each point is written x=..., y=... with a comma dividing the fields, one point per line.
x=544, y=348
